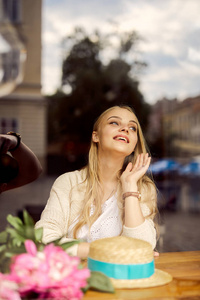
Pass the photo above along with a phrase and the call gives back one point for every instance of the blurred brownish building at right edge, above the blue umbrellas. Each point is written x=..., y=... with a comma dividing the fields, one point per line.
x=178, y=122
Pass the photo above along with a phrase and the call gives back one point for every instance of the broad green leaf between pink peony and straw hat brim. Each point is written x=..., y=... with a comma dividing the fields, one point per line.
x=100, y=282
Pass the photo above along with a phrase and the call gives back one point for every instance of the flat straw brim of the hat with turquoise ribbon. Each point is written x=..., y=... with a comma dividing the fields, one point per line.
x=158, y=278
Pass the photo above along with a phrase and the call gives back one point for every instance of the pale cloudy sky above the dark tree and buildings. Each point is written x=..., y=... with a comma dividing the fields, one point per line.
x=170, y=45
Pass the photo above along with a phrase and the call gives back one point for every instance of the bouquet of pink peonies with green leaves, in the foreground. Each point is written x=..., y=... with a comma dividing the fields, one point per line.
x=31, y=270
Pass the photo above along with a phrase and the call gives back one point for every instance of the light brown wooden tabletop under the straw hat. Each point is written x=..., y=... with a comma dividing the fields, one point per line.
x=183, y=266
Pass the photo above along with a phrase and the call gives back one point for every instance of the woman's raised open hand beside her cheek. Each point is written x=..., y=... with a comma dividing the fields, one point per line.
x=132, y=174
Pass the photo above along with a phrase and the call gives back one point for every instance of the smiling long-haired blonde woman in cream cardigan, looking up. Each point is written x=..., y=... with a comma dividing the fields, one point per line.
x=111, y=196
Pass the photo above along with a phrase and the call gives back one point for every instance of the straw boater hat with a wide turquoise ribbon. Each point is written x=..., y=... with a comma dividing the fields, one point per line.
x=128, y=262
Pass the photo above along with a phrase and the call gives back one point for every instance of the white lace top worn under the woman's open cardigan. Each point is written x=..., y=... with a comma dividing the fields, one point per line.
x=107, y=225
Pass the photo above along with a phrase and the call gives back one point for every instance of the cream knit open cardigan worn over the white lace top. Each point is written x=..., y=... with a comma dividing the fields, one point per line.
x=63, y=207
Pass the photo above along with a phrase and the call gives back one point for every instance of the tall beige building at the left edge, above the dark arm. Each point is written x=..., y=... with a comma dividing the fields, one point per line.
x=24, y=109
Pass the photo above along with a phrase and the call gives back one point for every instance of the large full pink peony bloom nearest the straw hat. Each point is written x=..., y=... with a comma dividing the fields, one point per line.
x=51, y=273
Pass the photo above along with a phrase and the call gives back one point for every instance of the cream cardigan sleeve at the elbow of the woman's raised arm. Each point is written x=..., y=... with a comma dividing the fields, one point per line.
x=145, y=231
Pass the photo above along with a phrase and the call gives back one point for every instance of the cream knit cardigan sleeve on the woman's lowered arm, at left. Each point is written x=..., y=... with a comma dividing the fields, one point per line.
x=56, y=214
